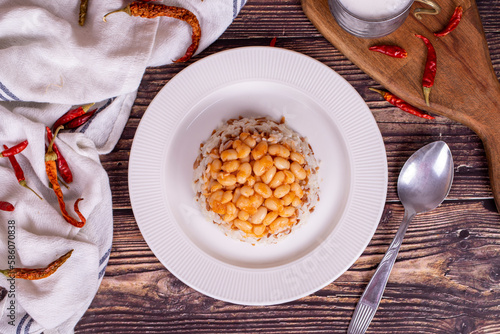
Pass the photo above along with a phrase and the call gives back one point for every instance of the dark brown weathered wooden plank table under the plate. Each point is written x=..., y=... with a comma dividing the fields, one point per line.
x=446, y=278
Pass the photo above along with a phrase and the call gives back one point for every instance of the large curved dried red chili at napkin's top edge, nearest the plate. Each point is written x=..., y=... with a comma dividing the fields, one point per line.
x=152, y=10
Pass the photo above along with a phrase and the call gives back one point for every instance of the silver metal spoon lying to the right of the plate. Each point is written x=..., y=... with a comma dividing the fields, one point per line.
x=423, y=183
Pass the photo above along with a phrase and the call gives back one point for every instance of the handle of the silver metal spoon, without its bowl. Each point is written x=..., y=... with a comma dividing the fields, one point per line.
x=368, y=304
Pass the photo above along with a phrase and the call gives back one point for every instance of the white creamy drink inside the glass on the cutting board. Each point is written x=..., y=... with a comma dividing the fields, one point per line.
x=375, y=9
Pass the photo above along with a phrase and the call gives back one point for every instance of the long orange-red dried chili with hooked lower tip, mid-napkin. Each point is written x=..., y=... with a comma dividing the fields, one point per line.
x=51, y=170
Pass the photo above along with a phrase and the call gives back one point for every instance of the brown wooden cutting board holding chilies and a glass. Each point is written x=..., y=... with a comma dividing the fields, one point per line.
x=466, y=88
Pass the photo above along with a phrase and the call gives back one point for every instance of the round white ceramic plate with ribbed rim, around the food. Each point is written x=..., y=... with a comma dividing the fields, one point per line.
x=317, y=103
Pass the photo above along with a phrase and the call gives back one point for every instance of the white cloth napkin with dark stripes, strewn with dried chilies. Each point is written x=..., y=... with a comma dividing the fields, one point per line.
x=50, y=64
